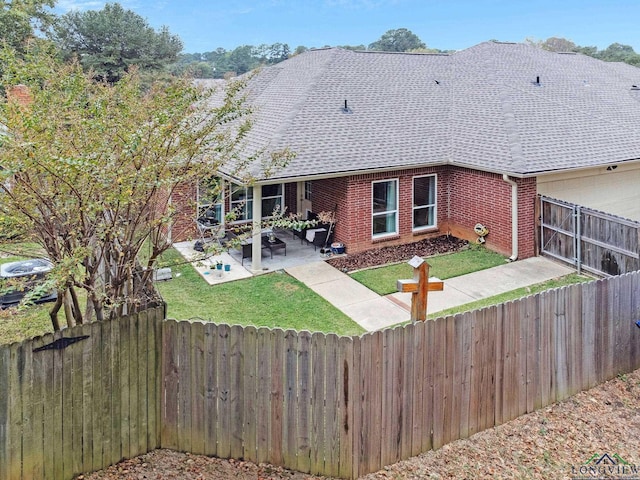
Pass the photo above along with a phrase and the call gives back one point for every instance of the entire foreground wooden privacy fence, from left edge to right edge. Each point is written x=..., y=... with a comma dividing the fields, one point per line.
x=312, y=402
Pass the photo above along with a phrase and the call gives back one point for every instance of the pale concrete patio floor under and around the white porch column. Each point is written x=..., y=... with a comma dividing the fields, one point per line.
x=293, y=253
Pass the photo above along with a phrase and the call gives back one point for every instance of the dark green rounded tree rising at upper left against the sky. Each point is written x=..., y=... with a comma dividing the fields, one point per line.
x=110, y=41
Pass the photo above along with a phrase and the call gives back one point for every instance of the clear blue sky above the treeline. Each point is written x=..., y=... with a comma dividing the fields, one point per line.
x=205, y=25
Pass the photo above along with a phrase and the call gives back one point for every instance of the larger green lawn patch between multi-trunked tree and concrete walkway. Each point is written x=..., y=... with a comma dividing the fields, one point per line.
x=270, y=300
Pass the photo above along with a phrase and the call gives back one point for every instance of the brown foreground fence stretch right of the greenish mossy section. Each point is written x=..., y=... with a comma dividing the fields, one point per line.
x=348, y=406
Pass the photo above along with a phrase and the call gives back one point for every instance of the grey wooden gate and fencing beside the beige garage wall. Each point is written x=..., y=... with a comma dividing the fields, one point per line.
x=588, y=239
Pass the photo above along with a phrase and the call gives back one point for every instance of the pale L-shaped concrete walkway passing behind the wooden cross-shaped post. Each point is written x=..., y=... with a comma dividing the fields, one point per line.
x=373, y=312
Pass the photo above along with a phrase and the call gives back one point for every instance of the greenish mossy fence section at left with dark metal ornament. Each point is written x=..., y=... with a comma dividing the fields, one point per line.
x=65, y=411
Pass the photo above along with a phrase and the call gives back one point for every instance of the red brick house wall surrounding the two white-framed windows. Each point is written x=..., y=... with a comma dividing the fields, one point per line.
x=465, y=197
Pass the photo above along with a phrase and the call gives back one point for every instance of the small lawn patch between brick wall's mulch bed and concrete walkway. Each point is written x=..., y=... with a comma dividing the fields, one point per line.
x=382, y=280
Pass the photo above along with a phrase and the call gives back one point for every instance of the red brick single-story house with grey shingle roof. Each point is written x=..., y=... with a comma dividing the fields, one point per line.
x=406, y=146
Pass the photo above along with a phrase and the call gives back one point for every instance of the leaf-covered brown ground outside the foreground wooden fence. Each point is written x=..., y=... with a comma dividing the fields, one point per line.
x=556, y=442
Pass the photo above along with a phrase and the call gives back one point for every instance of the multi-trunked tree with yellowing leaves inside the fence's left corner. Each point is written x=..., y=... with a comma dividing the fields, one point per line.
x=89, y=169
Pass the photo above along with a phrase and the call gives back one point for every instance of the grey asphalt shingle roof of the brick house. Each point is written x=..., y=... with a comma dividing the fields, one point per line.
x=480, y=108
